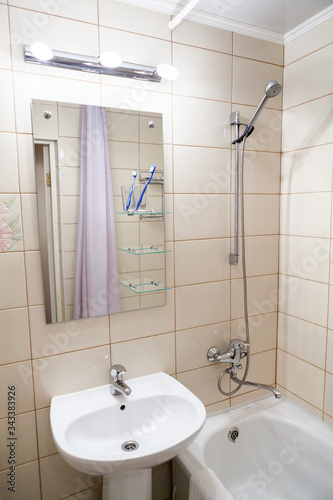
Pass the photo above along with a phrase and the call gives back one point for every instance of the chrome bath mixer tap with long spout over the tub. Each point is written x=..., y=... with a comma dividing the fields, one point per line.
x=238, y=349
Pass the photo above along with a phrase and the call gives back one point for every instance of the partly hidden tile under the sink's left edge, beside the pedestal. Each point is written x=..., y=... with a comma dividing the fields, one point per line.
x=59, y=480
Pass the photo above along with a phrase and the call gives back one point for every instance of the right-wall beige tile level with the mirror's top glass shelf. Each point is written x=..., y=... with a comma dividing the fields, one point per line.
x=307, y=214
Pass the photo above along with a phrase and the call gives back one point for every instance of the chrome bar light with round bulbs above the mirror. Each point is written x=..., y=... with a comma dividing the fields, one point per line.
x=92, y=64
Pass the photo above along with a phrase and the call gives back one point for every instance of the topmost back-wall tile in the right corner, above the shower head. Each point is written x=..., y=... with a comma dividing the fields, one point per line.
x=248, y=46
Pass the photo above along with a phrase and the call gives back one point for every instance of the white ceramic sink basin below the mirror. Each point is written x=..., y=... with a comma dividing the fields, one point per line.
x=160, y=415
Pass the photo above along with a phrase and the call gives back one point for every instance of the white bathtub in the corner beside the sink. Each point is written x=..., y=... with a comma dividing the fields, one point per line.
x=281, y=453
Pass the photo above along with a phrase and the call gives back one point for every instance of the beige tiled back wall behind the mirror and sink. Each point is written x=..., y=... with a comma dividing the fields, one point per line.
x=219, y=72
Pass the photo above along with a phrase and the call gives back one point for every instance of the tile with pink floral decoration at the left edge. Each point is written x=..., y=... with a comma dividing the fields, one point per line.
x=10, y=223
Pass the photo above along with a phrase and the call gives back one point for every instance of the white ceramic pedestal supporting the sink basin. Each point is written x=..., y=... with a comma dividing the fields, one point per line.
x=129, y=485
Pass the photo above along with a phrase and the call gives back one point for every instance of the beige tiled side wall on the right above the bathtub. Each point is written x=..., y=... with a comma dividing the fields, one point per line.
x=305, y=336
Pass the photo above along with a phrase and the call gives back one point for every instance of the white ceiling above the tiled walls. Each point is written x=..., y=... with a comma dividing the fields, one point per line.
x=272, y=18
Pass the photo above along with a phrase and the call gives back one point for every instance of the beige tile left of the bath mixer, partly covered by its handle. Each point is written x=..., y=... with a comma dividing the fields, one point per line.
x=192, y=345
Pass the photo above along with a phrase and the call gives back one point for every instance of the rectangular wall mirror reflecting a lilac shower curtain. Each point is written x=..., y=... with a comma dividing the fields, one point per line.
x=101, y=226
